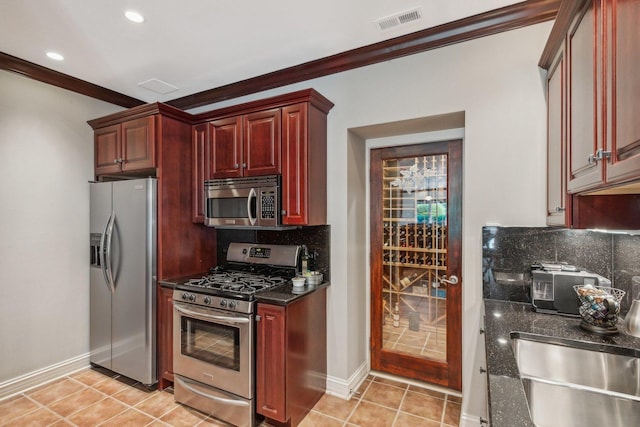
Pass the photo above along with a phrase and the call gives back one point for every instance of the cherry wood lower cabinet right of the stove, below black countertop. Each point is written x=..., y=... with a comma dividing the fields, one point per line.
x=291, y=357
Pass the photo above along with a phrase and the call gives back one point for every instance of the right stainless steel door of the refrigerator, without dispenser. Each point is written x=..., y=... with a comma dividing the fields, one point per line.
x=134, y=268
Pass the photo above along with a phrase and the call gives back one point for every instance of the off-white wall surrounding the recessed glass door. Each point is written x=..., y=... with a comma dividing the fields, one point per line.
x=496, y=82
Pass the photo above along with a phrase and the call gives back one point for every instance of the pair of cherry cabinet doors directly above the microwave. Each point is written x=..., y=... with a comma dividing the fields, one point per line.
x=246, y=145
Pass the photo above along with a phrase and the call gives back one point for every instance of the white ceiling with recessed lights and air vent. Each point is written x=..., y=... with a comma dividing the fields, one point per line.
x=197, y=45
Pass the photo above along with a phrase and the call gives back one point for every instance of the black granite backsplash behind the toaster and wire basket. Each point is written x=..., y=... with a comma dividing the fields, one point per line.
x=508, y=252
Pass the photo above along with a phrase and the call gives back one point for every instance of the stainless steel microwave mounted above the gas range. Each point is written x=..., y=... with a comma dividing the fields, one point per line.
x=243, y=202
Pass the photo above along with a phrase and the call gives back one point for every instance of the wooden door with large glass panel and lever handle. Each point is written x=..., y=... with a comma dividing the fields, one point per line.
x=416, y=201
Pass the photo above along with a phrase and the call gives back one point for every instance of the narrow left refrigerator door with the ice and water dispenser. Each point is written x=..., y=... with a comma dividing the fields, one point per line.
x=99, y=292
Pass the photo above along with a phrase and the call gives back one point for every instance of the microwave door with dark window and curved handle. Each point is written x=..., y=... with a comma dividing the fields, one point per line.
x=230, y=206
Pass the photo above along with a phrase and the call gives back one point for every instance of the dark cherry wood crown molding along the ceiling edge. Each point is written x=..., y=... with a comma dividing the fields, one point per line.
x=493, y=22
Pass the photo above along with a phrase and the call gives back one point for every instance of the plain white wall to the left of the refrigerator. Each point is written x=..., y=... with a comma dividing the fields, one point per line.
x=46, y=161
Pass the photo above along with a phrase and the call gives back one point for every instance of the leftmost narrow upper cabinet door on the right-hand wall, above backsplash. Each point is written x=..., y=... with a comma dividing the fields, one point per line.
x=556, y=180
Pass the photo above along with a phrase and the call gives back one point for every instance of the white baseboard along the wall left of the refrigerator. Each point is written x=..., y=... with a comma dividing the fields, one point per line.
x=33, y=379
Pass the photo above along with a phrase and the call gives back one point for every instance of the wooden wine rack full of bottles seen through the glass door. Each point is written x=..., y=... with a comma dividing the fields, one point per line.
x=414, y=235
